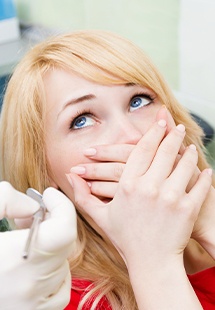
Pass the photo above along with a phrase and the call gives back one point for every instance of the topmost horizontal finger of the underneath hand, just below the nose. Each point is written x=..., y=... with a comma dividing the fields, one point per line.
x=114, y=152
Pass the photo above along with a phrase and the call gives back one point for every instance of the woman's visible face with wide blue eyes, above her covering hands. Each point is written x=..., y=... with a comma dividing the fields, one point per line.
x=83, y=114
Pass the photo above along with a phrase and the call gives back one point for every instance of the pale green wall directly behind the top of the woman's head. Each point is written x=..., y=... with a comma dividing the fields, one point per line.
x=152, y=24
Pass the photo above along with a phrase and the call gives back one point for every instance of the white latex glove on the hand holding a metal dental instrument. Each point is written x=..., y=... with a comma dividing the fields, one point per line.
x=43, y=281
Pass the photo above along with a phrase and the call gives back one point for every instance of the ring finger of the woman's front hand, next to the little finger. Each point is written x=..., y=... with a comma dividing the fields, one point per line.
x=182, y=174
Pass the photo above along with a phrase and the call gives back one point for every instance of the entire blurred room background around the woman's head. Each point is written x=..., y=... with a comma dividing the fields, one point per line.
x=177, y=34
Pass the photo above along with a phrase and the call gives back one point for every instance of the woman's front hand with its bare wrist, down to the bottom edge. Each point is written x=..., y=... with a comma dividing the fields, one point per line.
x=151, y=216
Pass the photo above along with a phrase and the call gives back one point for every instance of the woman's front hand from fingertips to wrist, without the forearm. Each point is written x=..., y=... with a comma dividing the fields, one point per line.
x=150, y=191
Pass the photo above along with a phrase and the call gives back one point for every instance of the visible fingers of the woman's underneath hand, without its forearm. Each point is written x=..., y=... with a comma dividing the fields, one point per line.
x=108, y=163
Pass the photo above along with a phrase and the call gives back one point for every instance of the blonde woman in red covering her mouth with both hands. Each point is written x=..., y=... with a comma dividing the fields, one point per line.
x=89, y=121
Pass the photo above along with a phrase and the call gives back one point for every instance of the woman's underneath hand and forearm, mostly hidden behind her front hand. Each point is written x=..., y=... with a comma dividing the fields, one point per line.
x=104, y=174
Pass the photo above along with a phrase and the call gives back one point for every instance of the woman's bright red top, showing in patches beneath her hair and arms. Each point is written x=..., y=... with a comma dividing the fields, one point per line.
x=202, y=282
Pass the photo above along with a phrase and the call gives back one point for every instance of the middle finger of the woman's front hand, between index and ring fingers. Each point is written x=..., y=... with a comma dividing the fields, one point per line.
x=166, y=155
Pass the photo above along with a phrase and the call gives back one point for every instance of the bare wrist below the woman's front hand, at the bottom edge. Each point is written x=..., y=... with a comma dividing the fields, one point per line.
x=162, y=286
